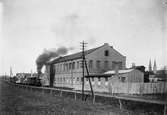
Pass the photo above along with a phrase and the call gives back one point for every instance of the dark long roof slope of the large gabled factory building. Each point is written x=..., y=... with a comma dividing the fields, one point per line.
x=73, y=56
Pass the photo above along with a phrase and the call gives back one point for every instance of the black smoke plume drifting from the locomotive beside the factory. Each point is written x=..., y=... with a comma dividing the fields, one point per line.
x=47, y=55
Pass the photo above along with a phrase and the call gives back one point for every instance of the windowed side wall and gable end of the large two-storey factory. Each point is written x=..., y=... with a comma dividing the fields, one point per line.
x=68, y=69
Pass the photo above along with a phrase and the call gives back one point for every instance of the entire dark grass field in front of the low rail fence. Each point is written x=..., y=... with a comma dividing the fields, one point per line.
x=18, y=101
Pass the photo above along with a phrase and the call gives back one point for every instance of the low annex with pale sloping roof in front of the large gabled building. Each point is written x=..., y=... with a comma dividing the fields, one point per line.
x=104, y=82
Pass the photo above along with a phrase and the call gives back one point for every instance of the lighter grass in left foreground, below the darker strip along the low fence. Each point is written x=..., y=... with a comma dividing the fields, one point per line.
x=15, y=101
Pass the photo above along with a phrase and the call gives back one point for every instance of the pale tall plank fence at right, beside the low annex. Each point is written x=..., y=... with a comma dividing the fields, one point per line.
x=138, y=88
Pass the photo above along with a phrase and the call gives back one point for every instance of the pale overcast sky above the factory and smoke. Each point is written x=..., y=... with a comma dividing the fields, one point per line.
x=136, y=28
